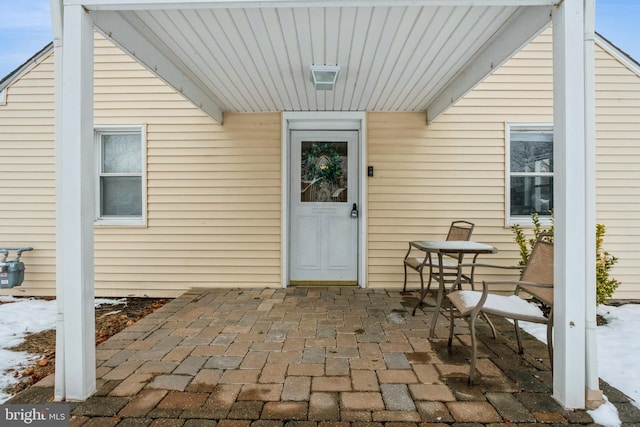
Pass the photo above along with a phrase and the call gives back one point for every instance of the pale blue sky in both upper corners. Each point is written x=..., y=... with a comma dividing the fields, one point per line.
x=25, y=28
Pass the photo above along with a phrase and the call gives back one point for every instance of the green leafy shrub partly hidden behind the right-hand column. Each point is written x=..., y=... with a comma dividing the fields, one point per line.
x=605, y=285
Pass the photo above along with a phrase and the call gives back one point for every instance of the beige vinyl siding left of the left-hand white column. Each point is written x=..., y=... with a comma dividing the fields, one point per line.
x=27, y=168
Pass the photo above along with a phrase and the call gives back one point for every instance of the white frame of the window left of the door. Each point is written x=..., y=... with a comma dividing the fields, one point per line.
x=137, y=221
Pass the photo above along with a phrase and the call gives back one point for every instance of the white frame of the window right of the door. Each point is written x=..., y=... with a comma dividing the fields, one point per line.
x=524, y=220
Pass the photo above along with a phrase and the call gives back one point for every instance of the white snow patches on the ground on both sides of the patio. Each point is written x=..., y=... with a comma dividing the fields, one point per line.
x=618, y=345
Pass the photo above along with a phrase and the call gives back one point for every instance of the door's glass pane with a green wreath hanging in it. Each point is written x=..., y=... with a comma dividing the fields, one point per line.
x=323, y=172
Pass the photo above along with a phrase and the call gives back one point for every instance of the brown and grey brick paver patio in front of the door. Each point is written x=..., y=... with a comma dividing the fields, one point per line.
x=313, y=357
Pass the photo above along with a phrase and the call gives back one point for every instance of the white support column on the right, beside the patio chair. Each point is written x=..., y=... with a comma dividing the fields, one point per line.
x=570, y=210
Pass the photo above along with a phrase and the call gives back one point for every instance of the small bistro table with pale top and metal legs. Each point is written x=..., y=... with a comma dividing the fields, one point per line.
x=439, y=248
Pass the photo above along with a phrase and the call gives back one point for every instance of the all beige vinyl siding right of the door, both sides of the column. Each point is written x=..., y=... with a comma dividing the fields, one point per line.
x=429, y=175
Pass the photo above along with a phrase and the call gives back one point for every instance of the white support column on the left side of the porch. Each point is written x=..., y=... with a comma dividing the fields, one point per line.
x=74, y=211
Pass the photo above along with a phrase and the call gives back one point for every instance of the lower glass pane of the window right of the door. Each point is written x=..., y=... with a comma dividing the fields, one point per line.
x=531, y=194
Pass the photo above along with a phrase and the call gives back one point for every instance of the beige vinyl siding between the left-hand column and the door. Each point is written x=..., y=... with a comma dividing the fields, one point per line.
x=213, y=191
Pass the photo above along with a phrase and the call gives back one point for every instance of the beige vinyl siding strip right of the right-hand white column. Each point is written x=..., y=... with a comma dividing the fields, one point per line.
x=618, y=167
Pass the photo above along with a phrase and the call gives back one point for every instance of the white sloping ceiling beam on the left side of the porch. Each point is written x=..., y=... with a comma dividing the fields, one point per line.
x=163, y=65
